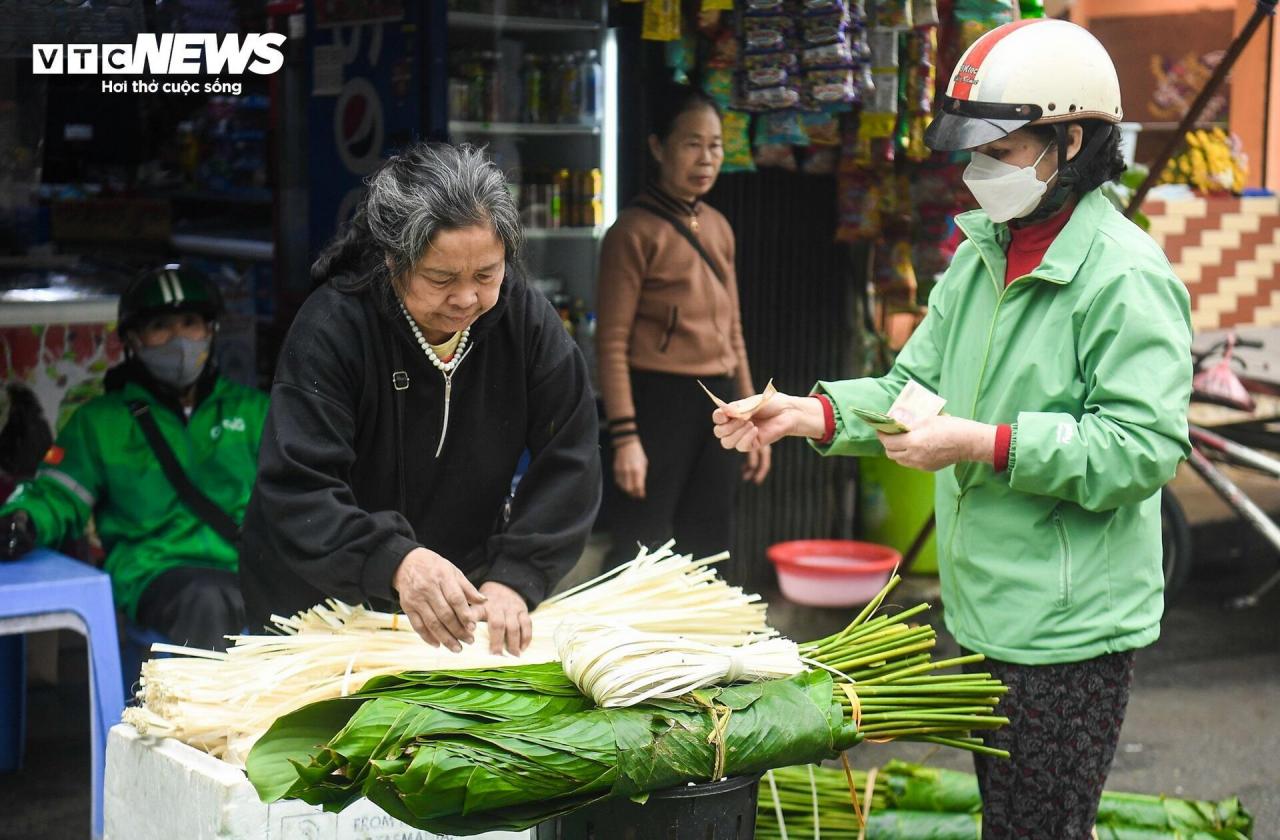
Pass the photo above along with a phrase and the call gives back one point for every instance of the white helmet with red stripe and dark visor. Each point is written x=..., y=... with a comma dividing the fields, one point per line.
x=1037, y=71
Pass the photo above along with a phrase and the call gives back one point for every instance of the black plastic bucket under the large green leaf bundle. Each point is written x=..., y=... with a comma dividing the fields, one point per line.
x=715, y=811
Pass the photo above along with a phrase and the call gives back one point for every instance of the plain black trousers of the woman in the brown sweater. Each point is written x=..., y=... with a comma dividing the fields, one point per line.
x=692, y=480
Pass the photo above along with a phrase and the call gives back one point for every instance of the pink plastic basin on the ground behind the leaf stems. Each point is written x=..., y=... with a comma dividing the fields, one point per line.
x=833, y=573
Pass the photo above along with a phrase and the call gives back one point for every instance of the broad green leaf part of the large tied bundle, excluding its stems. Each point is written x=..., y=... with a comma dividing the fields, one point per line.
x=483, y=751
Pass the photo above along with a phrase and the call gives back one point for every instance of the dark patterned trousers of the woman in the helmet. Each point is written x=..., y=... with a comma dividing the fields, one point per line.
x=1064, y=727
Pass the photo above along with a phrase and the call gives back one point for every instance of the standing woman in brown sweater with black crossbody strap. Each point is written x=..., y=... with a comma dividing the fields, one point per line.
x=669, y=317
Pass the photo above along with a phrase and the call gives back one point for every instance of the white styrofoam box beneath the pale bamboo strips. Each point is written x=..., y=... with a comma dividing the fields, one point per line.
x=162, y=789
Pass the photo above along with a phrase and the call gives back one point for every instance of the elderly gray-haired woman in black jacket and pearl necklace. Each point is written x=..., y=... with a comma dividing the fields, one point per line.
x=408, y=389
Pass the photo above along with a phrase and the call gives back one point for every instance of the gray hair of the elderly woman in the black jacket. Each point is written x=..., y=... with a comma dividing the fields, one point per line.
x=424, y=190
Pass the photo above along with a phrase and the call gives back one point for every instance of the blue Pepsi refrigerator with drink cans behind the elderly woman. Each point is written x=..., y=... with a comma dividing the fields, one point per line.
x=532, y=81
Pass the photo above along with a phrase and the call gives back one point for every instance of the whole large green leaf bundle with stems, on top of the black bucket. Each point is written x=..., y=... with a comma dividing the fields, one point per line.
x=508, y=748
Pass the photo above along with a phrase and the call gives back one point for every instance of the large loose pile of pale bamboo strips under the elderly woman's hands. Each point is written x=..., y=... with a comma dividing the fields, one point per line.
x=223, y=702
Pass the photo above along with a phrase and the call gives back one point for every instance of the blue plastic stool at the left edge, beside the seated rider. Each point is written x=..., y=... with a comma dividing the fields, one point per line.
x=47, y=591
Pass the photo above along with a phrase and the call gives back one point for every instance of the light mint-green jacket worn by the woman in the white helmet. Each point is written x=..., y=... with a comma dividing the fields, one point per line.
x=1059, y=558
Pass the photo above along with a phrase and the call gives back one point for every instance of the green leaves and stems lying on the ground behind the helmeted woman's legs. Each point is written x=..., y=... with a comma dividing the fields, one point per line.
x=911, y=802
